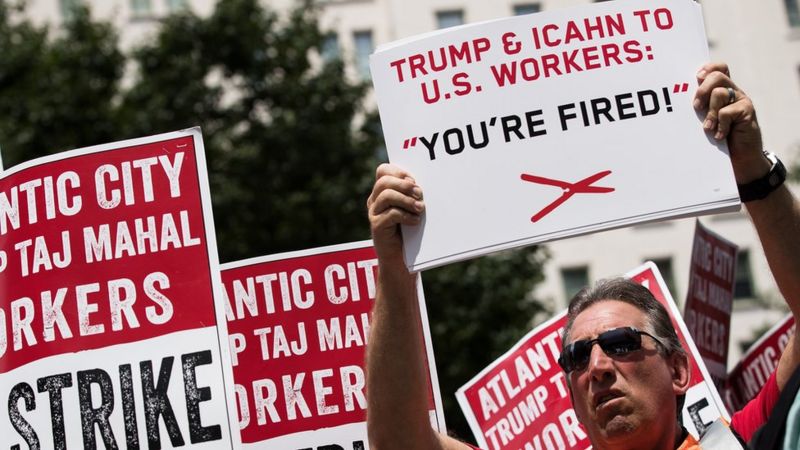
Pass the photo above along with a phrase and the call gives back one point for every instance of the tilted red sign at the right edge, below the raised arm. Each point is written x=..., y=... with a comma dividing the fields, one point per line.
x=756, y=366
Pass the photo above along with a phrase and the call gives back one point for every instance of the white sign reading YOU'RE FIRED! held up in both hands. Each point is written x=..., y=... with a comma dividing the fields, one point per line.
x=543, y=126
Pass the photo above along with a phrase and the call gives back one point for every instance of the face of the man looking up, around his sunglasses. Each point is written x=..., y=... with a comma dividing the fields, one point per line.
x=625, y=400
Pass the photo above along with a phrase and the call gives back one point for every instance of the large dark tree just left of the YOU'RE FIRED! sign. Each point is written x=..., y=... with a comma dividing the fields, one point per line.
x=274, y=123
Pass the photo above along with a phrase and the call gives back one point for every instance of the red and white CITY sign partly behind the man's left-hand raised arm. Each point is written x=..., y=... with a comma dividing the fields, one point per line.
x=299, y=324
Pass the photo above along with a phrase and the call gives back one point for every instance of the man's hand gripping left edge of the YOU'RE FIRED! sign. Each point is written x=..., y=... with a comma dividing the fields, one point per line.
x=395, y=200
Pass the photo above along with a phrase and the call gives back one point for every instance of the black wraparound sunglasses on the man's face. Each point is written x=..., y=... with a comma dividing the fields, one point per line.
x=616, y=342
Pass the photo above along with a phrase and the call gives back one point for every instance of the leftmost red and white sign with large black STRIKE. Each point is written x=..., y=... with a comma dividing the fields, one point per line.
x=112, y=325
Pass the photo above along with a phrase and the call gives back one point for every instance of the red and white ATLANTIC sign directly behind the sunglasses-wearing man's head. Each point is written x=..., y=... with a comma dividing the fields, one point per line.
x=522, y=400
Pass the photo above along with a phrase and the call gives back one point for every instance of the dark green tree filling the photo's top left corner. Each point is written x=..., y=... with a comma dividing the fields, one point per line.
x=57, y=88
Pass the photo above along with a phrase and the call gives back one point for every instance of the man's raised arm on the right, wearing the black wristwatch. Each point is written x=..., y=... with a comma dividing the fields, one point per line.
x=730, y=114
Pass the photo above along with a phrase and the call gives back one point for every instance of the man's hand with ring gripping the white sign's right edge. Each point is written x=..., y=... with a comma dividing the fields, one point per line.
x=730, y=115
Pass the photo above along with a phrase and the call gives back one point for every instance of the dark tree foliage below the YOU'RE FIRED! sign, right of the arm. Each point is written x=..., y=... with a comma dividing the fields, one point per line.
x=477, y=310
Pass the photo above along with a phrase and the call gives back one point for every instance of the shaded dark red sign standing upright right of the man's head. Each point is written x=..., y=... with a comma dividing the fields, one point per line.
x=709, y=300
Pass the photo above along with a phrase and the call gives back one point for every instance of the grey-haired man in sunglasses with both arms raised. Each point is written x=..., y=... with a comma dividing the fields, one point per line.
x=625, y=389
